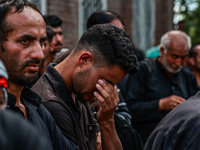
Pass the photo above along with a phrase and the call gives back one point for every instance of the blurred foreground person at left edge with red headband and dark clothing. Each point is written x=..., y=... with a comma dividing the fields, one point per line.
x=12, y=125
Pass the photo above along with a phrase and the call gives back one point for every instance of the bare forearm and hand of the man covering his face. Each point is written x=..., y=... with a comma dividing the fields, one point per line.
x=107, y=96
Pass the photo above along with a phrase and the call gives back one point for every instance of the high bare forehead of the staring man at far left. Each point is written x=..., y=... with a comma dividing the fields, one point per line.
x=26, y=20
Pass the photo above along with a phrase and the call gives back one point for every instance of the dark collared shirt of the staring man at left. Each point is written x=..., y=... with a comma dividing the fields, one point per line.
x=40, y=118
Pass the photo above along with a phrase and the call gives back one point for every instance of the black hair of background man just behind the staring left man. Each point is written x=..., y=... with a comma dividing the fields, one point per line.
x=52, y=20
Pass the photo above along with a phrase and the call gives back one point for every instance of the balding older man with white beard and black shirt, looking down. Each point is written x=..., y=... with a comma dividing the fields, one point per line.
x=160, y=85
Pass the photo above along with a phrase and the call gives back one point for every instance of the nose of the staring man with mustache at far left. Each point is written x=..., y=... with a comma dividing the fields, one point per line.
x=37, y=51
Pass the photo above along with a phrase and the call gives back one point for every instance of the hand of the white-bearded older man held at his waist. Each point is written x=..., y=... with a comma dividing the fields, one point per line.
x=170, y=102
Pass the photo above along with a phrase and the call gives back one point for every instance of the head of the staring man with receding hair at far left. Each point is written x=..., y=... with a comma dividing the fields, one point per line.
x=22, y=32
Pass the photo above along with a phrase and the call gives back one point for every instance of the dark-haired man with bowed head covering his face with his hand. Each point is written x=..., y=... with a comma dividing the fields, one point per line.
x=102, y=57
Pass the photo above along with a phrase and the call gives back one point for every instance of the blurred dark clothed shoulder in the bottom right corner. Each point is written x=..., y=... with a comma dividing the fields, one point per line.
x=179, y=130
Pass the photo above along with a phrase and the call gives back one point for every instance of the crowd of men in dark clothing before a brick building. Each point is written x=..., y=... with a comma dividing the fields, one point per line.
x=97, y=96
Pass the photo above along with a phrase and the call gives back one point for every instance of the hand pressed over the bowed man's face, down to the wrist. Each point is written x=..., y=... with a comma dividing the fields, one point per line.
x=108, y=98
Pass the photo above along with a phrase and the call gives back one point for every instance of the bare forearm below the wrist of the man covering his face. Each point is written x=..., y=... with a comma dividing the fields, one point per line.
x=110, y=139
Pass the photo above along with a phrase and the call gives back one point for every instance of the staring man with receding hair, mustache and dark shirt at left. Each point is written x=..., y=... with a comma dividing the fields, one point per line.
x=22, y=36
